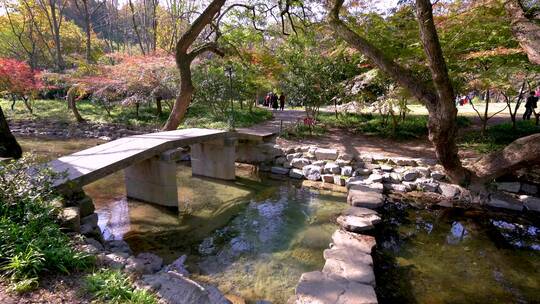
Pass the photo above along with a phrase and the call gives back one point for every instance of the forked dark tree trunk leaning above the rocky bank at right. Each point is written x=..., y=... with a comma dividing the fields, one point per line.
x=439, y=102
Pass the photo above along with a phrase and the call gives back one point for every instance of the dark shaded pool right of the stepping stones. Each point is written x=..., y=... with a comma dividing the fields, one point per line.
x=457, y=256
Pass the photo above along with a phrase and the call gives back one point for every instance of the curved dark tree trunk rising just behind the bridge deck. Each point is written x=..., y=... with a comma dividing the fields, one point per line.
x=184, y=59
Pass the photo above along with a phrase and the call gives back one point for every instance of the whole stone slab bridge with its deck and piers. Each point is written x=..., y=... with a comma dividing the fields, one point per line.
x=149, y=160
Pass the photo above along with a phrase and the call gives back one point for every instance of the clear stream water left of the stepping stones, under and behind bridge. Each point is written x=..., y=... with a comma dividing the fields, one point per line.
x=252, y=238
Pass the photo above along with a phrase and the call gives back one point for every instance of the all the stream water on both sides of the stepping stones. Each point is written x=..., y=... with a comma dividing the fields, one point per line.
x=254, y=237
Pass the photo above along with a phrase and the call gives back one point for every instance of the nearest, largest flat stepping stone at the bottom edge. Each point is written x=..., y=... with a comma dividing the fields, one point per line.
x=322, y=288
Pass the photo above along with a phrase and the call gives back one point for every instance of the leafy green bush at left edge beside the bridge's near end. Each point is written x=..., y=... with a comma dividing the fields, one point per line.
x=31, y=242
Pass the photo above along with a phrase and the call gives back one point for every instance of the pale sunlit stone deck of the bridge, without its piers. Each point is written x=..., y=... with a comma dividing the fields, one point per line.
x=89, y=165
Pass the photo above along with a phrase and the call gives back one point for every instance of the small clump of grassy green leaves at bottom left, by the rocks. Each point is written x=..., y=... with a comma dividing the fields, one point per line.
x=112, y=286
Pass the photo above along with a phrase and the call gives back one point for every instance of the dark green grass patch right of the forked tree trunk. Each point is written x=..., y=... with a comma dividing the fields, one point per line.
x=497, y=137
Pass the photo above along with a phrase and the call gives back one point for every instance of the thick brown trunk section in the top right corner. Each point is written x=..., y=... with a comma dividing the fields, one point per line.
x=526, y=32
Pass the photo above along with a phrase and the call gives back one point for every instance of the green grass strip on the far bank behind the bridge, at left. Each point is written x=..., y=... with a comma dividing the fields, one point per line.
x=197, y=116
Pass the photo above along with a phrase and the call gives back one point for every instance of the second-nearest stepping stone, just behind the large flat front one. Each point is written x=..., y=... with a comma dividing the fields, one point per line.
x=351, y=266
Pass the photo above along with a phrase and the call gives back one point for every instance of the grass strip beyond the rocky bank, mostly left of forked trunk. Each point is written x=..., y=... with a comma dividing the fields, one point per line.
x=414, y=126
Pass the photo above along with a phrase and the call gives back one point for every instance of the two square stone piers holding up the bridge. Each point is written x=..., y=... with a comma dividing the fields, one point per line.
x=154, y=180
